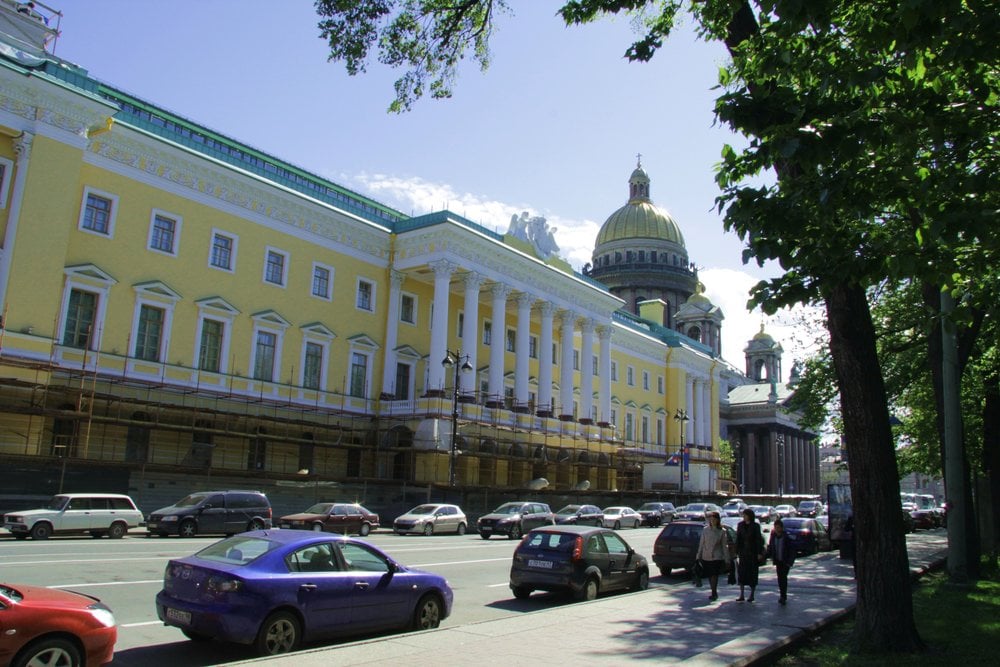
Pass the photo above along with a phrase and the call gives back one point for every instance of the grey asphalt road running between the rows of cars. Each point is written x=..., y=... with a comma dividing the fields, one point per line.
x=126, y=574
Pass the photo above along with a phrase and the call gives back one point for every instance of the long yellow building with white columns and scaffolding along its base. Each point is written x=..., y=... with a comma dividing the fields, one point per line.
x=176, y=300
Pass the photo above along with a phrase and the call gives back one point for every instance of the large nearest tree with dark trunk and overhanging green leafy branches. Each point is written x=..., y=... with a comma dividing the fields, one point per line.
x=877, y=121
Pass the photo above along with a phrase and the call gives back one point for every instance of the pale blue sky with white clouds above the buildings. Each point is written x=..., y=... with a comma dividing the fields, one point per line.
x=552, y=128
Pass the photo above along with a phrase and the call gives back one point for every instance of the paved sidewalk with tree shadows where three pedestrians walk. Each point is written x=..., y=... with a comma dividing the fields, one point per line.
x=666, y=624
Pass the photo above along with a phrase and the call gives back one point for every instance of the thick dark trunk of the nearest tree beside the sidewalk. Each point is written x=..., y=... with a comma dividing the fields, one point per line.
x=884, y=615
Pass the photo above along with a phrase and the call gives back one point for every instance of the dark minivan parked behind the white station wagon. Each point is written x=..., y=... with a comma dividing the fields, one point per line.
x=212, y=512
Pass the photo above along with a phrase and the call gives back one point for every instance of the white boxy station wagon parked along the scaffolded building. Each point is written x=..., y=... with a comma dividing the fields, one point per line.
x=99, y=514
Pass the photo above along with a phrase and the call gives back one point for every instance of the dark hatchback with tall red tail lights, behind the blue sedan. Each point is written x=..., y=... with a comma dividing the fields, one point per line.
x=582, y=560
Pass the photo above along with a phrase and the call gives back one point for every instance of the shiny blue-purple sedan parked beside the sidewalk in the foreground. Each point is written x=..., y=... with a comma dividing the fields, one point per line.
x=275, y=589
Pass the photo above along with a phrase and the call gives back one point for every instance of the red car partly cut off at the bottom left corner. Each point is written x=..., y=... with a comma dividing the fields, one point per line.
x=48, y=626
